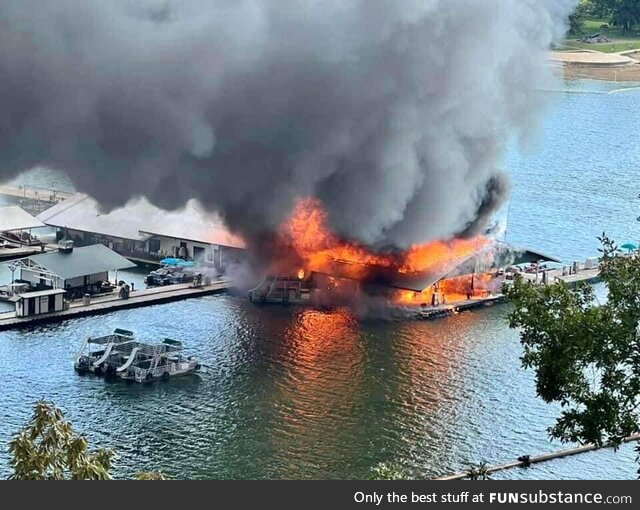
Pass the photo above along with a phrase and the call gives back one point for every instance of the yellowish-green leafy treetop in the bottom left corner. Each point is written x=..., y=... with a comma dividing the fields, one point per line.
x=49, y=449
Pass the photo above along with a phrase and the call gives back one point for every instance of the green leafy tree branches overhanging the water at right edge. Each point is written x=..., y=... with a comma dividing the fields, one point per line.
x=586, y=356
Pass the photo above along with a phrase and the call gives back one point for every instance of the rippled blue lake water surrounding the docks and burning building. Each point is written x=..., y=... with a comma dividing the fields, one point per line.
x=298, y=393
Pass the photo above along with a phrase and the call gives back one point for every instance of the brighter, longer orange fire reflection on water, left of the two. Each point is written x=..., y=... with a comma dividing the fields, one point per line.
x=321, y=386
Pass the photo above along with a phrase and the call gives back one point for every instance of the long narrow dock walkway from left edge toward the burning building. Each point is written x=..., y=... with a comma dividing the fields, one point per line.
x=112, y=302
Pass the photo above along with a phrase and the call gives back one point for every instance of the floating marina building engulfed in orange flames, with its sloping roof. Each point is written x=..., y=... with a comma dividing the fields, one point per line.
x=314, y=258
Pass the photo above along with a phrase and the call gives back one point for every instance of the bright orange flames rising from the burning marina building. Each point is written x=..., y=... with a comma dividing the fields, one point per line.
x=319, y=250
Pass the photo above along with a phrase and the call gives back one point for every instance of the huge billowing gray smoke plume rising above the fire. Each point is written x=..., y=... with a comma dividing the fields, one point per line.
x=394, y=113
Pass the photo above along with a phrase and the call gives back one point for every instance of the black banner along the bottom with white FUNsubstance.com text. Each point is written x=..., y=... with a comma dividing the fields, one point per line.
x=364, y=495
